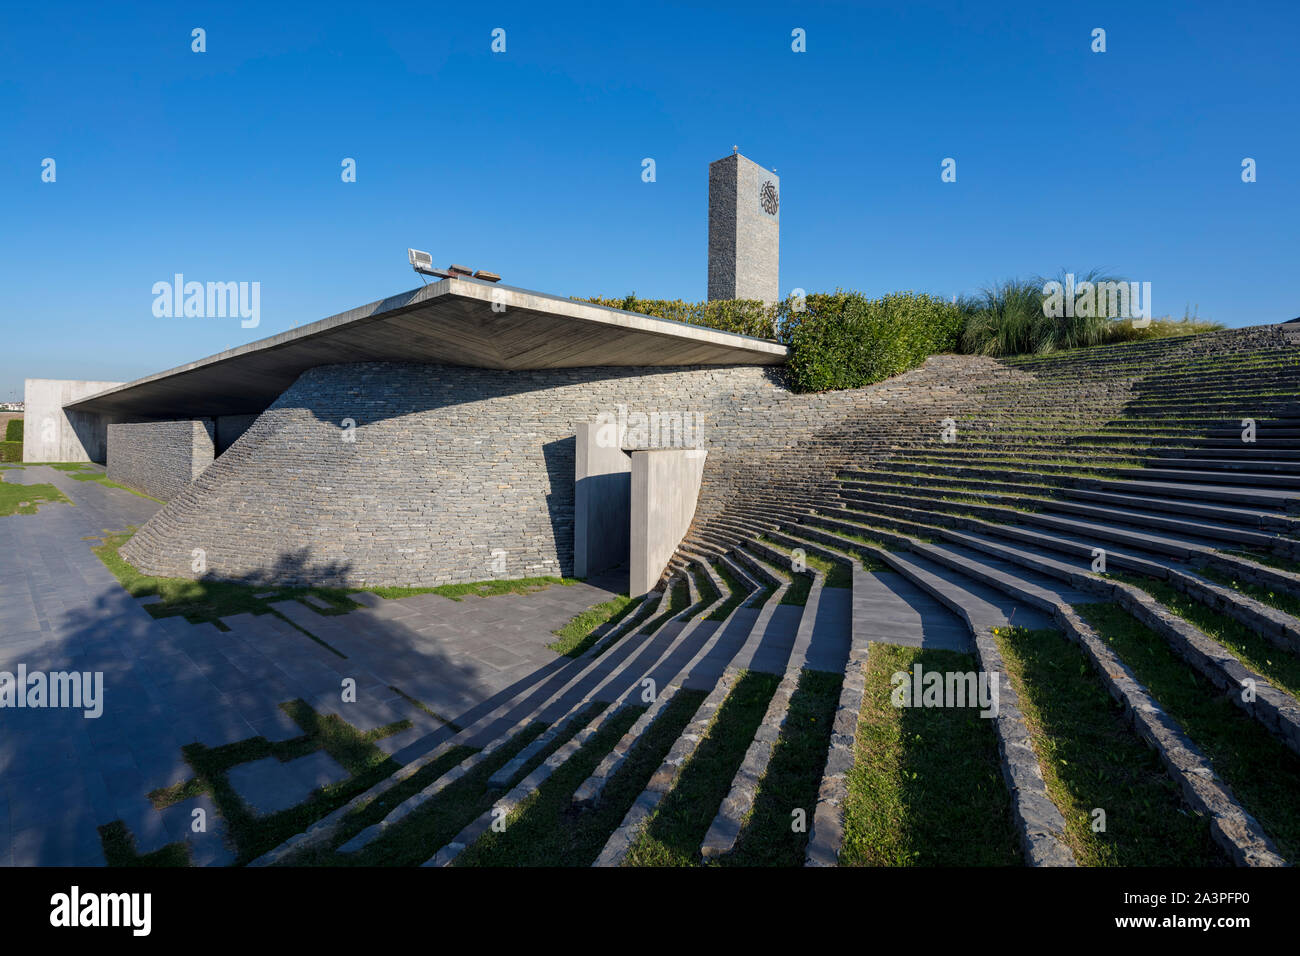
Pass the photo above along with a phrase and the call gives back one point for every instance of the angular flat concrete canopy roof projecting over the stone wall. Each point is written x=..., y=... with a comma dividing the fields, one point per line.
x=452, y=323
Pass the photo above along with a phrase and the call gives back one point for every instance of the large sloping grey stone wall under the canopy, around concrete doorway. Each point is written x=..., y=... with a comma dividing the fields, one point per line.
x=450, y=474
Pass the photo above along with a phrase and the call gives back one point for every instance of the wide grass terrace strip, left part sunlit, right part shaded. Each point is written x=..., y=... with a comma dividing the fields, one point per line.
x=926, y=788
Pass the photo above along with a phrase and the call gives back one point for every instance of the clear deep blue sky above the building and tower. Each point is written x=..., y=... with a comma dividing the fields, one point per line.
x=226, y=166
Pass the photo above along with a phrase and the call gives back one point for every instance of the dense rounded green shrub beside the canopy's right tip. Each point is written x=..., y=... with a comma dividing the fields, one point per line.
x=847, y=341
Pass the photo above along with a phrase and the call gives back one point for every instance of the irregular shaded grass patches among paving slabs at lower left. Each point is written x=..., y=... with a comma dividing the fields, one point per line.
x=254, y=836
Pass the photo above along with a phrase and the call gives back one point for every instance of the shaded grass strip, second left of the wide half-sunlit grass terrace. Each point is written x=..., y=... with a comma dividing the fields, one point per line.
x=674, y=833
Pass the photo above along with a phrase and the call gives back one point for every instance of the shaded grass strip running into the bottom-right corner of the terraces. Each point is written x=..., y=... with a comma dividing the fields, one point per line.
x=1263, y=773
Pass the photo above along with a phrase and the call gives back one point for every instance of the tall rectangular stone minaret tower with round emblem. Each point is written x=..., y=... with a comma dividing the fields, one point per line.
x=744, y=231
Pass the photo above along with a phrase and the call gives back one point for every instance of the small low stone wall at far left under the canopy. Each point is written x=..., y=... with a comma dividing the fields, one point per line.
x=161, y=458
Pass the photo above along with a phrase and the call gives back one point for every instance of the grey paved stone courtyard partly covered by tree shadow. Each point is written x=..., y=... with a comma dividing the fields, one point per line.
x=170, y=684
